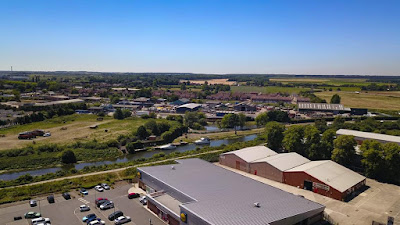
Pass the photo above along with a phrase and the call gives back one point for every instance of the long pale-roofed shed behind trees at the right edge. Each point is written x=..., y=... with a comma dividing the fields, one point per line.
x=360, y=136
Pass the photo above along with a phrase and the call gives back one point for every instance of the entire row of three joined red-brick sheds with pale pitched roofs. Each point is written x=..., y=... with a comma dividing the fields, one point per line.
x=324, y=177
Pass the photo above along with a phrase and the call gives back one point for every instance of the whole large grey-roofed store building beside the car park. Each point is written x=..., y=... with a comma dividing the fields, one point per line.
x=195, y=192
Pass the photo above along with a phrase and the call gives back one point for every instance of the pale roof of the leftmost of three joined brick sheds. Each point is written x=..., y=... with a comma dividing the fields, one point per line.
x=252, y=153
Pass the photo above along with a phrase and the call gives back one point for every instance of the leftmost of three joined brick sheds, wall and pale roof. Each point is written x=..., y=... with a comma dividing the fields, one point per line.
x=241, y=159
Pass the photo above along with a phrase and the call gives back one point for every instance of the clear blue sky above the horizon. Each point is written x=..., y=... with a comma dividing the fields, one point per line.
x=296, y=36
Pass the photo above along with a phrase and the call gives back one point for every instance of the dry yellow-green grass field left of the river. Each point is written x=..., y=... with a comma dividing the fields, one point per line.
x=76, y=128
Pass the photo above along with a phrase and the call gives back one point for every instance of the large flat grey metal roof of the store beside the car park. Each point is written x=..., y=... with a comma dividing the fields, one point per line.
x=223, y=197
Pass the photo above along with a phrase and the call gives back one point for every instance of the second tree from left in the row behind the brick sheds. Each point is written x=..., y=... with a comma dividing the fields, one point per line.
x=293, y=140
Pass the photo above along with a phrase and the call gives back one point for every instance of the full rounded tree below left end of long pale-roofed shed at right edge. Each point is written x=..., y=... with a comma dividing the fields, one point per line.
x=344, y=150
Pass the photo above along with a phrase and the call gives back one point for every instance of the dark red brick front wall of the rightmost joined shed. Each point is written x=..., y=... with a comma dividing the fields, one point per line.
x=297, y=179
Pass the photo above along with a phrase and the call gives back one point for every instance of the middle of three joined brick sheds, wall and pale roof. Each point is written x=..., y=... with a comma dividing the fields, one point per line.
x=272, y=167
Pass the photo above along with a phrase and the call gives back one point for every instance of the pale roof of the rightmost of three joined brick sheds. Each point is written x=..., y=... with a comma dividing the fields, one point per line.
x=331, y=173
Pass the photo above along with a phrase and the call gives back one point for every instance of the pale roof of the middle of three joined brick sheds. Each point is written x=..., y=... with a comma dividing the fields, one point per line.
x=284, y=161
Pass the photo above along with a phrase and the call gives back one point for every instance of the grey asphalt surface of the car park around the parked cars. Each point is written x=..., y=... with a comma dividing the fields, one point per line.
x=66, y=212
